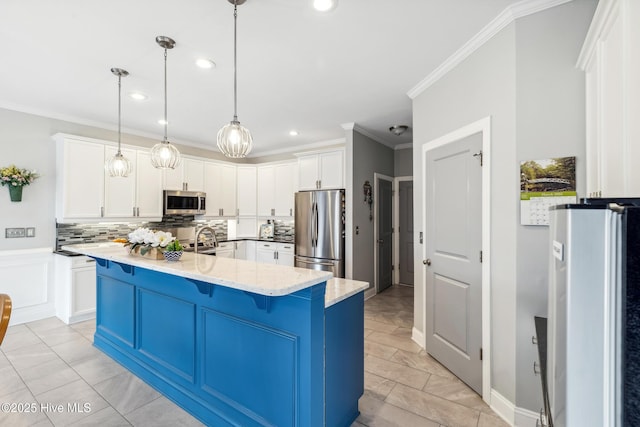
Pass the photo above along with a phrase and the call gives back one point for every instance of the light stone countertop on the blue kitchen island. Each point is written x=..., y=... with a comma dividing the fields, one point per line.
x=259, y=278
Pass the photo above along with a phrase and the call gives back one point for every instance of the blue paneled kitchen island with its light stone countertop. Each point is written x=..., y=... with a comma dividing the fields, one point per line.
x=235, y=342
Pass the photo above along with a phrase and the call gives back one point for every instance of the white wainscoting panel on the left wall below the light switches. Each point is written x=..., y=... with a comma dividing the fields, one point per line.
x=27, y=276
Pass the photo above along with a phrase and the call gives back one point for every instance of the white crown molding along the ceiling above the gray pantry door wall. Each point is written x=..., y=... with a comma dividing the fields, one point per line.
x=506, y=17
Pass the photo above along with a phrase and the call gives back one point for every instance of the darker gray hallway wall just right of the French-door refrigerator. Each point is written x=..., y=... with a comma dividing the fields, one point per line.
x=369, y=157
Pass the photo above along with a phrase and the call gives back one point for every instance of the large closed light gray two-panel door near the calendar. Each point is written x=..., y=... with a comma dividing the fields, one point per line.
x=453, y=244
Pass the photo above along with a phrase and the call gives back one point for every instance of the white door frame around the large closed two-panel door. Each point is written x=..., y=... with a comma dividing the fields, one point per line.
x=483, y=126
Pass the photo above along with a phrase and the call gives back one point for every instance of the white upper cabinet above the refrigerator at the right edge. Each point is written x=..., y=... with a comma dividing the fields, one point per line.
x=610, y=58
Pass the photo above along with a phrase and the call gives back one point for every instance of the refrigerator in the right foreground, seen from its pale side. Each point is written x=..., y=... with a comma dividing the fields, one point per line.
x=593, y=334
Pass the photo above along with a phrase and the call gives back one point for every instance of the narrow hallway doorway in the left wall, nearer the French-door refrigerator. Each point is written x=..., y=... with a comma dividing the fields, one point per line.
x=383, y=231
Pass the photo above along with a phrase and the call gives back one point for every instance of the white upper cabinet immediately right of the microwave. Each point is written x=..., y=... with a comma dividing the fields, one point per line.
x=220, y=186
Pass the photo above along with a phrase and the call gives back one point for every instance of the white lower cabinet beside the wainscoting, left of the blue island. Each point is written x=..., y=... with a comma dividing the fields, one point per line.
x=75, y=288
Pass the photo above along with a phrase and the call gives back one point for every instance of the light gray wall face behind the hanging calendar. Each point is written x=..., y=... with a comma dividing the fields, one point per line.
x=550, y=122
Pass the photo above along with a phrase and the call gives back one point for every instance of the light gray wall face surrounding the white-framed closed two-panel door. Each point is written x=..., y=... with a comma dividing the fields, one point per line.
x=483, y=85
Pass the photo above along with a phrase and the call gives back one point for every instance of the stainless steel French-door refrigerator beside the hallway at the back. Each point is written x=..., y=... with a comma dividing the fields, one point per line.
x=320, y=217
